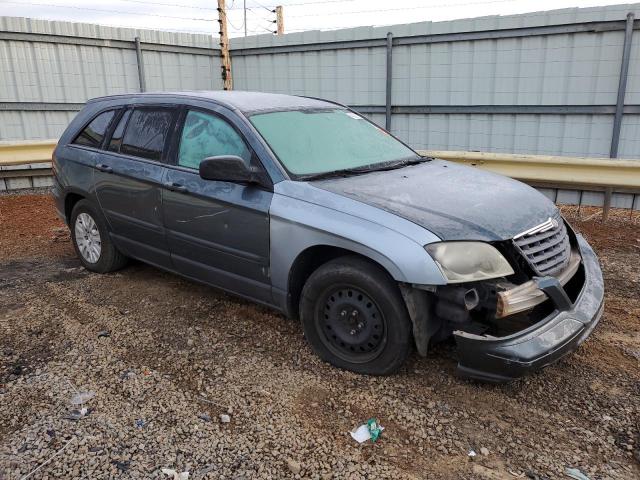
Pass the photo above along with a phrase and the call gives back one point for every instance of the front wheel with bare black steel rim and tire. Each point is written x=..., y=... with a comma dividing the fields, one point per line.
x=376, y=339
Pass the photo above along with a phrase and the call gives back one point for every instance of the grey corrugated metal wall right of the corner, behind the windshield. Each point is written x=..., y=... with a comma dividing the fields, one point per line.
x=517, y=71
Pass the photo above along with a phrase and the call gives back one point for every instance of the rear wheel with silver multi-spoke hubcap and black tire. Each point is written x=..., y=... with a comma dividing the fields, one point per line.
x=96, y=250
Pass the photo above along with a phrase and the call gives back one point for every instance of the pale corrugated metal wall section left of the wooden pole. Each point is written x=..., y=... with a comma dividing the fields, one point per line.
x=48, y=69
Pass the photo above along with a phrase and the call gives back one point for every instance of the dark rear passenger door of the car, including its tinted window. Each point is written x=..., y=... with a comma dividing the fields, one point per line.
x=128, y=182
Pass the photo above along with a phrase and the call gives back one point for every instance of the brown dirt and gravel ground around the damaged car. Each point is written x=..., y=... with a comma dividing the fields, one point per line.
x=165, y=358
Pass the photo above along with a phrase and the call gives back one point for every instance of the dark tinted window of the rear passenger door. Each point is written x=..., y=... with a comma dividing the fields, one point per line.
x=146, y=133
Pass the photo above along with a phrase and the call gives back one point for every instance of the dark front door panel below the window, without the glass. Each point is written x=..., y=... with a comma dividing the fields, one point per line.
x=218, y=232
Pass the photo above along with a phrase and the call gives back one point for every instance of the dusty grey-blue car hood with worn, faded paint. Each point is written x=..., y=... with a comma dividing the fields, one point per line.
x=452, y=201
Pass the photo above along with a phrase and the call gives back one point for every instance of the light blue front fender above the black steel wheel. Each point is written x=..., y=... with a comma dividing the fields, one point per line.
x=303, y=216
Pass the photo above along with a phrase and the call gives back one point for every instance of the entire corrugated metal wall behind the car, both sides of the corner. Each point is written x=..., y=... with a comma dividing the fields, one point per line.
x=49, y=68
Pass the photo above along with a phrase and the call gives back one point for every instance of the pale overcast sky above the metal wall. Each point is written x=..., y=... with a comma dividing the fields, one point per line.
x=200, y=16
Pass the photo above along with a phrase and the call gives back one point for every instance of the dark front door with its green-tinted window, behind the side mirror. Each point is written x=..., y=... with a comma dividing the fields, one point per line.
x=218, y=232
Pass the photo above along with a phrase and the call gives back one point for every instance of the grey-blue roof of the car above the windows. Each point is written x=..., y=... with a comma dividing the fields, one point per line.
x=244, y=101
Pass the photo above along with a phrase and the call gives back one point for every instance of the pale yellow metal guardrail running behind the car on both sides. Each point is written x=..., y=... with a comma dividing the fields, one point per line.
x=21, y=161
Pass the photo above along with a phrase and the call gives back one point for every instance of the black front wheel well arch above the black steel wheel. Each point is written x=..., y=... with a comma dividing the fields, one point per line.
x=308, y=262
